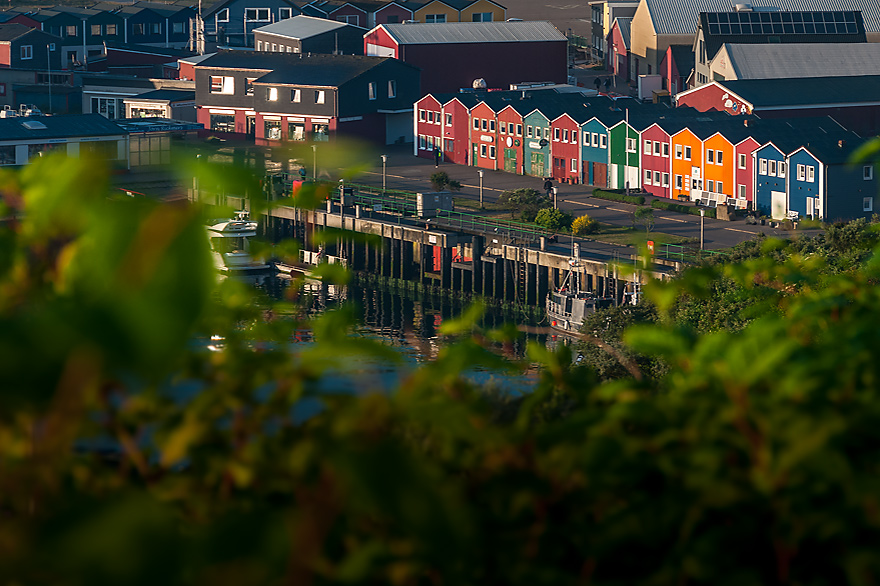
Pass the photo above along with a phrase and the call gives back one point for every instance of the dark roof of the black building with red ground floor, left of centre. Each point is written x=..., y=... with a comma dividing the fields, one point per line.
x=314, y=69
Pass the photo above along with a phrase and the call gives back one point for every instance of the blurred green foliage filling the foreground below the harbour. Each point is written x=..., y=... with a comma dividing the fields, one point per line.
x=133, y=450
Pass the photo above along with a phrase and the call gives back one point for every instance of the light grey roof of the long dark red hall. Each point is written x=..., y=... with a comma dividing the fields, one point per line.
x=473, y=32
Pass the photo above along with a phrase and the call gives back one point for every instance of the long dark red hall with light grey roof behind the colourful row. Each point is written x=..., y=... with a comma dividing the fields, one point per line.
x=453, y=55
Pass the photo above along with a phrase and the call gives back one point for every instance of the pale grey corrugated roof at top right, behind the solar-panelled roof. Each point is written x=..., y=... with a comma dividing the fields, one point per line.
x=679, y=17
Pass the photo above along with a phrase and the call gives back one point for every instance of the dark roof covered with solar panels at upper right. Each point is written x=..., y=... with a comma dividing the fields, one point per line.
x=780, y=27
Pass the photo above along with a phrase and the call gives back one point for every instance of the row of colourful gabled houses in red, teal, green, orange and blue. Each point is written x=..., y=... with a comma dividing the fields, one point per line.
x=779, y=167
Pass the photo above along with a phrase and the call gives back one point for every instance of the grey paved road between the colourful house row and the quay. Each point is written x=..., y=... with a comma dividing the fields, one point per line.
x=404, y=171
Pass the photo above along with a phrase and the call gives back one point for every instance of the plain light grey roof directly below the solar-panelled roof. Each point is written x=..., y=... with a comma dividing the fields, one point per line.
x=804, y=60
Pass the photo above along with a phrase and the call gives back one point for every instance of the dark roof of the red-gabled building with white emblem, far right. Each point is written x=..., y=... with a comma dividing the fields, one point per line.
x=808, y=91
